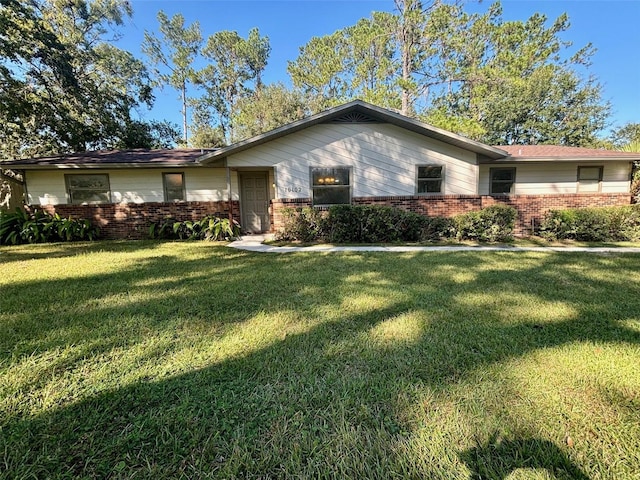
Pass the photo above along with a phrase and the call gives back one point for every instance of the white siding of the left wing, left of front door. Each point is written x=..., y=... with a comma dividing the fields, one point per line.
x=135, y=185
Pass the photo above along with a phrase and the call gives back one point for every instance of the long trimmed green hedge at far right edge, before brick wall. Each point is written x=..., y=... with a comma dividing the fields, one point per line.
x=592, y=224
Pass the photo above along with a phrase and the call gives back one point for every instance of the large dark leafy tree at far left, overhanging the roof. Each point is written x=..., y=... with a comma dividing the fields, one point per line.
x=65, y=86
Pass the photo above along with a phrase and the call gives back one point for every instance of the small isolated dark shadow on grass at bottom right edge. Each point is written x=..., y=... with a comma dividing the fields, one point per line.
x=499, y=458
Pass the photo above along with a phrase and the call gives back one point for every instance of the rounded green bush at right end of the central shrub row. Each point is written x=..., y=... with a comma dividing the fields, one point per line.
x=491, y=224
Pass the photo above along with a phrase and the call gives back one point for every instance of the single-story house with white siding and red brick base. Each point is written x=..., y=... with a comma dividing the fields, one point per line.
x=355, y=153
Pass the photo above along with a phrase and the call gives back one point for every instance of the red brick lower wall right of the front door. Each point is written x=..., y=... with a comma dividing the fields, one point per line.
x=531, y=208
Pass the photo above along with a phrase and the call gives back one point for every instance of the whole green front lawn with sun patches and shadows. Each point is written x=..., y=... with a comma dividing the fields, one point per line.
x=192, y=360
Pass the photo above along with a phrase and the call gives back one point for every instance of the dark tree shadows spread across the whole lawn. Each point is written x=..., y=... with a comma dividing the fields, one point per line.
x=319, y=401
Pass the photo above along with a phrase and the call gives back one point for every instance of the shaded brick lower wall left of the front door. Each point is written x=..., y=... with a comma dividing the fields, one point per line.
x=132, y=220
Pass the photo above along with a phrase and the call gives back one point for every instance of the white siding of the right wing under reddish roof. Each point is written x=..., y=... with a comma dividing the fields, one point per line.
x=559, y=177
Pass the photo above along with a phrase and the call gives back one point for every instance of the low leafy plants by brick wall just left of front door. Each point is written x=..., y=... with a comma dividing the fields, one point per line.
x=208, y=228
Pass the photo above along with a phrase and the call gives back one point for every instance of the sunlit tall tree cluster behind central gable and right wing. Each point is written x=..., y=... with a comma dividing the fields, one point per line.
x=499, y=82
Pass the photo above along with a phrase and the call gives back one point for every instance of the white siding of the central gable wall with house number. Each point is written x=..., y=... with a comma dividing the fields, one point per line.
x=383, y=157
